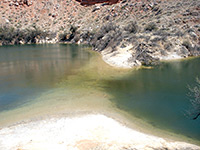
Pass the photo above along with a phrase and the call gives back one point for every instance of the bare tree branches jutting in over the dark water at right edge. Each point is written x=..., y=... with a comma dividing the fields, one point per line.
x=195, y=100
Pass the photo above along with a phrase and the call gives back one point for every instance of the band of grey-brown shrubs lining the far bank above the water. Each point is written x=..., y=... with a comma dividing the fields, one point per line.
x=149, y=42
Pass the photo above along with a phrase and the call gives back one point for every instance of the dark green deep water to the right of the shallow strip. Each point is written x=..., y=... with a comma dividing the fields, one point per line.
x=159, y=95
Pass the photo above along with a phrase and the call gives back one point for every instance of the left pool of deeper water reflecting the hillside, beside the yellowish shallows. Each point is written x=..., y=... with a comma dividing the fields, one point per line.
x=29, y=70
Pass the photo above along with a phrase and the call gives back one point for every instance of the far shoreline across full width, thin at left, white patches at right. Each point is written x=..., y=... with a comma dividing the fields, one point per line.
x=113, y=60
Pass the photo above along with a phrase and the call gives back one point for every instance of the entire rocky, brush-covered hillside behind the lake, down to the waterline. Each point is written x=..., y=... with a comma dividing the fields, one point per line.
x=127, y=33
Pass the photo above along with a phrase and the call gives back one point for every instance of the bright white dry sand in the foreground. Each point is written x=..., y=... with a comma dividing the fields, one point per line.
x=87, y=132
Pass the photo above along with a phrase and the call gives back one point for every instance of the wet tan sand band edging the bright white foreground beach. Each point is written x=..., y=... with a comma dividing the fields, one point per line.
x=116, y=114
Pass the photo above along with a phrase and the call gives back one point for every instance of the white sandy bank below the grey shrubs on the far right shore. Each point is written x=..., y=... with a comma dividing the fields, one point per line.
x=123, y=58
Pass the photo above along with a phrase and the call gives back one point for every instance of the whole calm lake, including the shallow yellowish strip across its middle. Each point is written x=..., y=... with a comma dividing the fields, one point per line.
x=36, y=79
